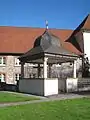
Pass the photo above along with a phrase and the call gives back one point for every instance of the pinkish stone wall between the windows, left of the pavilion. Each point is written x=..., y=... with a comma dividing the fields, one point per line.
x=10, y=69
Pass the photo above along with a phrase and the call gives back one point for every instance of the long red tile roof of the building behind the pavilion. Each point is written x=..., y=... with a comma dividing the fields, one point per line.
x=20, y=39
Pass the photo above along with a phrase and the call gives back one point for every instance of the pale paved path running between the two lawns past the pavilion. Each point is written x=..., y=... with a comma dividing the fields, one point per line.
x=45, y=99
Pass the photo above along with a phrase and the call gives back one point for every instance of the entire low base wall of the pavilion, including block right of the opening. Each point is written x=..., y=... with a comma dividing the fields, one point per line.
x=47, y=86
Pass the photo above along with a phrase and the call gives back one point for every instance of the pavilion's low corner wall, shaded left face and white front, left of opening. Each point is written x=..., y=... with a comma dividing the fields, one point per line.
x=39, y=86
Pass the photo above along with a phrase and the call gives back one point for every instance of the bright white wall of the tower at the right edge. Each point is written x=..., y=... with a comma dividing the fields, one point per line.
x=86, y=36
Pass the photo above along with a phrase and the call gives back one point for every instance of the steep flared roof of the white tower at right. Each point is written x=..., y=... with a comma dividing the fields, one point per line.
x=77, y=33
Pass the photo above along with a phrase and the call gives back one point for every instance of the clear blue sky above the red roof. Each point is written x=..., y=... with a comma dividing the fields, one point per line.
x=61, y=14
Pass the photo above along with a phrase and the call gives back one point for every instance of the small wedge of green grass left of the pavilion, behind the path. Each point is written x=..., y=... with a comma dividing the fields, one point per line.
x=14, y=97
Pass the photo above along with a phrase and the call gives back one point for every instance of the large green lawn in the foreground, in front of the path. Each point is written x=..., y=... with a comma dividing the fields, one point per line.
x=76, y=109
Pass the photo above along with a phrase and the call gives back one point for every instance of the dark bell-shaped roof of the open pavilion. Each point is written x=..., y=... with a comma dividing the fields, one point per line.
x=46, y=43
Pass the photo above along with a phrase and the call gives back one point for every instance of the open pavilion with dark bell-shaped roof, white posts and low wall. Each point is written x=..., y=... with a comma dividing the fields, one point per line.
x=47, y=50
